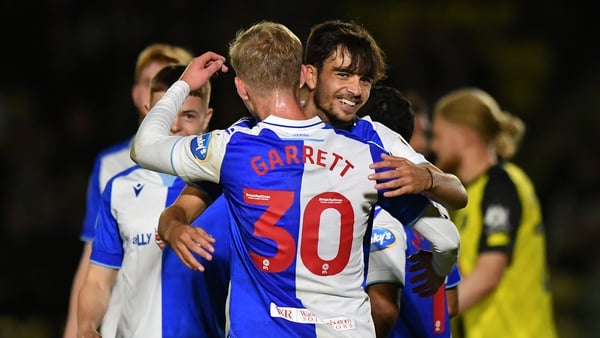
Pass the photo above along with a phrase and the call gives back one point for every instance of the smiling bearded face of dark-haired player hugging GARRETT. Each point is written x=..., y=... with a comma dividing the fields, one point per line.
x=336, y=93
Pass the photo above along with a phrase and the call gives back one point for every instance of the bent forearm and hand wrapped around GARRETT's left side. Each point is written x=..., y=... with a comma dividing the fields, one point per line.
x=174, y=227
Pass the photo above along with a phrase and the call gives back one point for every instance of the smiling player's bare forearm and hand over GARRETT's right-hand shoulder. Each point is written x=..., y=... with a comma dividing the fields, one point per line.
x=410, y=178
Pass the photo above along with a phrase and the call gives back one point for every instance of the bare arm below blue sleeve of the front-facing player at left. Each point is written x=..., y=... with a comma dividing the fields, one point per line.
x=93, y=299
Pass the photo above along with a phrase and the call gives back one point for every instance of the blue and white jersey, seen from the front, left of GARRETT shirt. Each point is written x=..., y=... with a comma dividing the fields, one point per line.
x=154, y=295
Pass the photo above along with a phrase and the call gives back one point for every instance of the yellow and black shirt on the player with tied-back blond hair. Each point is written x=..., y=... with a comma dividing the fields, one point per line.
x=504, y=214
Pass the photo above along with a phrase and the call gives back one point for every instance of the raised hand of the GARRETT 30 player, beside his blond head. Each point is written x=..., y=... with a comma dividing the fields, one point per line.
x=202, y=68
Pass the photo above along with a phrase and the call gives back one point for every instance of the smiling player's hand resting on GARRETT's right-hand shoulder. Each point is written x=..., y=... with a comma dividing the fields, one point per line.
x=404, y=178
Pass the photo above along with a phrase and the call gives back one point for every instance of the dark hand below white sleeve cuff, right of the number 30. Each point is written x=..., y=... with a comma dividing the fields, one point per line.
x=427, y=281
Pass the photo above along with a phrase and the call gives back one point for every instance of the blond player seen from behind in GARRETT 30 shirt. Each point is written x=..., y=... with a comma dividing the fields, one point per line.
x=289, y=275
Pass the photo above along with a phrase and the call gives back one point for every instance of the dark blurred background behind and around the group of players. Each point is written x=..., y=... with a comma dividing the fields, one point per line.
x=67, y=69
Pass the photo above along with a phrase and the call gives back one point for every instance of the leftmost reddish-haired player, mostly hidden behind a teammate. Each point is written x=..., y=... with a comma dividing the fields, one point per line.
x=116, y=158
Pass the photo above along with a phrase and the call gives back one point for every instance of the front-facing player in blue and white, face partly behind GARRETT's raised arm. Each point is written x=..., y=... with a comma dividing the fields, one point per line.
x=156, y=296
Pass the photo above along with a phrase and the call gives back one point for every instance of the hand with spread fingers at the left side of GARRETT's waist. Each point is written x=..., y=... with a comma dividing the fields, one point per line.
x=185, y=239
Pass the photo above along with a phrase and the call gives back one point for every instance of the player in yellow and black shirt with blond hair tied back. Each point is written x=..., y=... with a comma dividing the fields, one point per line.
x=505, y=288
